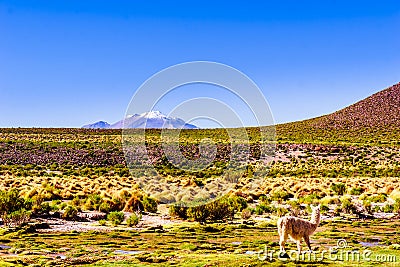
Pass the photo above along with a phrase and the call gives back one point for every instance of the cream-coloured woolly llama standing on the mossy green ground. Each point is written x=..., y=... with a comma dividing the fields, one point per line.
x=297, y=228
